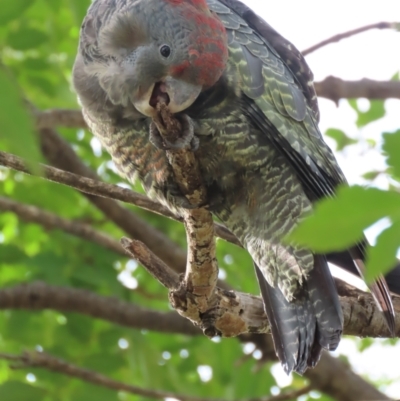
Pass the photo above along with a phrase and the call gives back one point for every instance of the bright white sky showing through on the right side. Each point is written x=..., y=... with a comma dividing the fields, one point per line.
x=375, y=55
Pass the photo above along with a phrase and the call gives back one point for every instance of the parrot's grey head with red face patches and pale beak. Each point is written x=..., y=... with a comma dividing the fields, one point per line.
x=152, y=50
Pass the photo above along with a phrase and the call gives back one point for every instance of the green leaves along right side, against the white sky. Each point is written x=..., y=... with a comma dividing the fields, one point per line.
x=339, y=222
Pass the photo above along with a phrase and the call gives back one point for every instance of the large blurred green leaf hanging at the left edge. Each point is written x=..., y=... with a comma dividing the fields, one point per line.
x=16, y=125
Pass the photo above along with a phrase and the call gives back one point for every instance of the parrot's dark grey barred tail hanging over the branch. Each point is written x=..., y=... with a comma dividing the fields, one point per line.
x=311, y=321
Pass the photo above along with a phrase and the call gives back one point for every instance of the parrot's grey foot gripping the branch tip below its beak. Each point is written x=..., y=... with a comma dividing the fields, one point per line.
x=186, y=140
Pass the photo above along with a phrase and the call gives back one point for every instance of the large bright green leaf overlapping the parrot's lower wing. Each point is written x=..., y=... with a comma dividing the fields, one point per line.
x=339, y=222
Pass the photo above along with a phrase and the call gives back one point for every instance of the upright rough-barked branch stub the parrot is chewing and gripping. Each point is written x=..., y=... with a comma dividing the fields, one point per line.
x=201, y=268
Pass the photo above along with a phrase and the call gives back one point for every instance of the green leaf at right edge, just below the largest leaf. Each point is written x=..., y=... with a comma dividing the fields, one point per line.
x=382, y=257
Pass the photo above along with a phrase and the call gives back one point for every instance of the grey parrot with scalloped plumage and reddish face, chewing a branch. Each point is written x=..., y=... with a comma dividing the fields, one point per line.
x=247, y=103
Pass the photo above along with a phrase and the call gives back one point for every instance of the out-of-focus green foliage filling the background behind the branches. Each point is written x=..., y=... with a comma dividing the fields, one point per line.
x=38, y=41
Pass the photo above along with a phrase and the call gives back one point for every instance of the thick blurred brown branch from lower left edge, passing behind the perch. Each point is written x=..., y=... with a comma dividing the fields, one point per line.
x=38, y=296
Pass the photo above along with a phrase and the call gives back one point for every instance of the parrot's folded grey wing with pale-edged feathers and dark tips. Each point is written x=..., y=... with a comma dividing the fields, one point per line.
x=279, y=97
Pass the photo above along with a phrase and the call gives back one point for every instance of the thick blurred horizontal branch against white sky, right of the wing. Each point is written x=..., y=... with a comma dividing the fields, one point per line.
x=335, y=88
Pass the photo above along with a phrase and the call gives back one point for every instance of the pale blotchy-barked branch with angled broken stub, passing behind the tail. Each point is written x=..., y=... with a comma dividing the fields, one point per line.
x=233, y=313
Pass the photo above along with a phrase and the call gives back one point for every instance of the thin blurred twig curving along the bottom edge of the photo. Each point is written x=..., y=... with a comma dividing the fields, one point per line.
x=43, y=360
